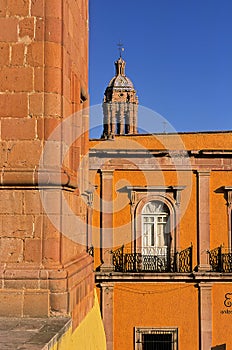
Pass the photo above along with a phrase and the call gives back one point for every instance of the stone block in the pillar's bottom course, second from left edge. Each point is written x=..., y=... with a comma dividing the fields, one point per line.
x=36, y=303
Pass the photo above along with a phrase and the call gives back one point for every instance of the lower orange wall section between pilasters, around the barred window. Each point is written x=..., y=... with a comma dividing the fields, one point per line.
x=156, y=305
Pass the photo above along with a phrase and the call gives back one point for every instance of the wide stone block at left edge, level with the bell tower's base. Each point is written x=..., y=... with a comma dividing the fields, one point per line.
x=18, y=129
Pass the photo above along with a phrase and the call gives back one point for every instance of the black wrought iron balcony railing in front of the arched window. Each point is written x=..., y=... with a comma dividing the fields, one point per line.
x=139, y=262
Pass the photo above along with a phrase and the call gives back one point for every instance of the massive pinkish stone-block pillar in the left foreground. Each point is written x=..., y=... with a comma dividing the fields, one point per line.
x=43, y=79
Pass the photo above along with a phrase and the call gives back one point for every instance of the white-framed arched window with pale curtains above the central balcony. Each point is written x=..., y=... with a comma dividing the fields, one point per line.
x=156, y=237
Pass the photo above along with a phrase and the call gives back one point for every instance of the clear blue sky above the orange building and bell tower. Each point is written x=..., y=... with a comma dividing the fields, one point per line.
x=178, y=55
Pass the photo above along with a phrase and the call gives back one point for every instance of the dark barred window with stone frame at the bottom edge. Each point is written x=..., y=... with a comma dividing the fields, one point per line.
x=156, y=339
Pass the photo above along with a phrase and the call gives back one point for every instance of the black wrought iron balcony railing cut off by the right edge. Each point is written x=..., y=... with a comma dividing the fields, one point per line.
x=220, y=259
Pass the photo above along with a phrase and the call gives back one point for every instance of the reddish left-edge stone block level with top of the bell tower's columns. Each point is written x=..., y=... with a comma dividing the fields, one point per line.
x=13, y=105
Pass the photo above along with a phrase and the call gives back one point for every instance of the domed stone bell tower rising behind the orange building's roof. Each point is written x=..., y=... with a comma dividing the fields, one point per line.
x=120, y=105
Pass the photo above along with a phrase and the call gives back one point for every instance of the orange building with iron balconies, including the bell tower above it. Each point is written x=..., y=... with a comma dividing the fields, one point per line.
x=161, y=231
